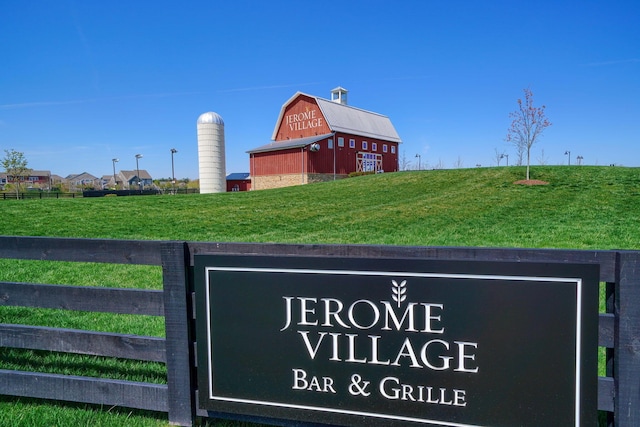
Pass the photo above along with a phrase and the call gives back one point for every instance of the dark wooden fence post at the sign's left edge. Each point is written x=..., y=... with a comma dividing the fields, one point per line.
x=178, y=340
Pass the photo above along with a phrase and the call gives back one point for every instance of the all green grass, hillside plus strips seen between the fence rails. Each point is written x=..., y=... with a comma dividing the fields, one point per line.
x=581, y=207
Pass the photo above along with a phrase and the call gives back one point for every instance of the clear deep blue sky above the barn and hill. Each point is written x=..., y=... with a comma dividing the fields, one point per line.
x=82, y=82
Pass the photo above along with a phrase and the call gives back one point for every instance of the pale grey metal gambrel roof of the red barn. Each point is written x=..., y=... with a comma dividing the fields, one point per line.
x=348, y=119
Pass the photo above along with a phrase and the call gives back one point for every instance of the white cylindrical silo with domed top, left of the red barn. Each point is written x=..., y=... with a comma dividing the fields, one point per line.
x=211, y=158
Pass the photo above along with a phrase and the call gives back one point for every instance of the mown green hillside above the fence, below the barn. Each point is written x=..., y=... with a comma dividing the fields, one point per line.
x=581, y=207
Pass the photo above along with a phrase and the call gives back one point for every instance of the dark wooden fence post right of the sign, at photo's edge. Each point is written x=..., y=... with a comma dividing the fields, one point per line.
x=627, y=340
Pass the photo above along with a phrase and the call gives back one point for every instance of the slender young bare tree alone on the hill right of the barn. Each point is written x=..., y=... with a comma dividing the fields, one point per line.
x=528, y=123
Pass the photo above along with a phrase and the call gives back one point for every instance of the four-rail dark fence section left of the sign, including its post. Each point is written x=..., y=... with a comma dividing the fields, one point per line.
x=173, y=397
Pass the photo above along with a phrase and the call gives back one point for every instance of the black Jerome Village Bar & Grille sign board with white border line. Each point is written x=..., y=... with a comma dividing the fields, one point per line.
x=390, y=342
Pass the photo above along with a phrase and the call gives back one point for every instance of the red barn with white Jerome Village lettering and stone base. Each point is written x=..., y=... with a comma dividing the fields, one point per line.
x=317, y=139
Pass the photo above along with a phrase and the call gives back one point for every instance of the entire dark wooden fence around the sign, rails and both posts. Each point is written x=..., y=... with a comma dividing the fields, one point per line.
x=619, y=328
